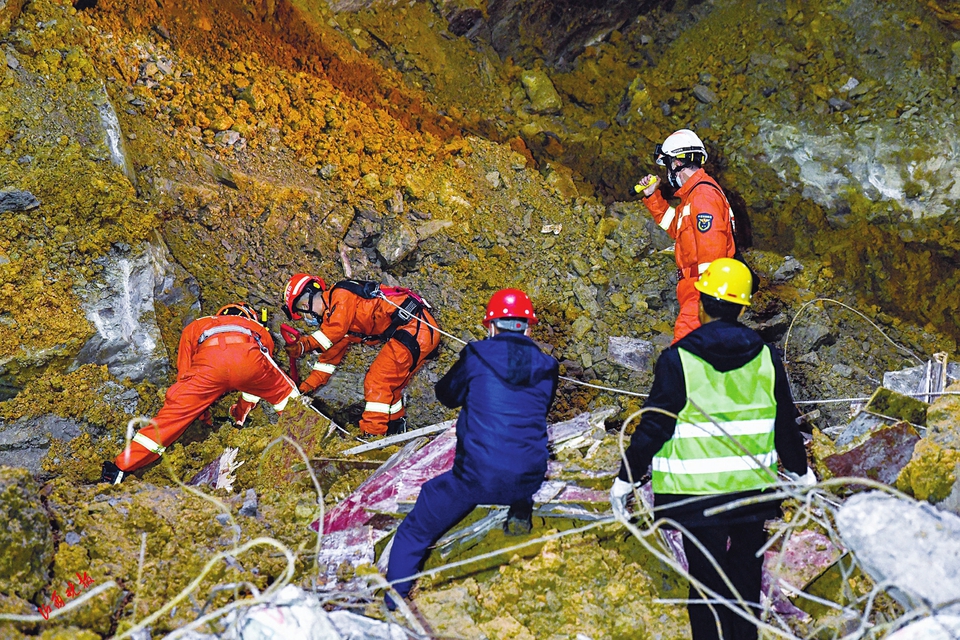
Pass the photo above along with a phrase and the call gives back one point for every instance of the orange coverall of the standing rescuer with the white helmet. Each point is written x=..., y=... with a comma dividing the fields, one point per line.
x=702, y=225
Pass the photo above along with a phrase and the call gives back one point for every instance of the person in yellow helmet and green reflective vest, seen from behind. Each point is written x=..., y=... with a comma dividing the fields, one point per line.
x=737, y=420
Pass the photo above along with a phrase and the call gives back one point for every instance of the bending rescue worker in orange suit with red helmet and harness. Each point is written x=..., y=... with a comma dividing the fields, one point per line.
x=362, y=311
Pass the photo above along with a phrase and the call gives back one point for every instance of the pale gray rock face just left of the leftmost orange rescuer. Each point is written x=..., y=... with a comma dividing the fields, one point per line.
x=122, y=307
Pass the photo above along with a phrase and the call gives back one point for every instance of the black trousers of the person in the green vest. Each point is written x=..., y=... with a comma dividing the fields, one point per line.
x=743, y=569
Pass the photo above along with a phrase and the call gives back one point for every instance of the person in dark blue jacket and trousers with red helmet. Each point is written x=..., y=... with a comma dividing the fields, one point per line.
x=505, y=386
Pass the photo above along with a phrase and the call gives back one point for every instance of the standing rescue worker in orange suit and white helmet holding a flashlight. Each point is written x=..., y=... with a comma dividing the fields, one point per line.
x=702, y=223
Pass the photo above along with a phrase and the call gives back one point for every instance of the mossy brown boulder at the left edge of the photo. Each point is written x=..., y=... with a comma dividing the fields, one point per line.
x=26, y=540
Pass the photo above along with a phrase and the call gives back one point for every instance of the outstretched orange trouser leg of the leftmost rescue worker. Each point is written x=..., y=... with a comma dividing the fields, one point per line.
x=185, y=401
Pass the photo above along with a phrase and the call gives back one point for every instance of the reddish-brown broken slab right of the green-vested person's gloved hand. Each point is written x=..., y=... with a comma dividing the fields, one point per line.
x=880, y=456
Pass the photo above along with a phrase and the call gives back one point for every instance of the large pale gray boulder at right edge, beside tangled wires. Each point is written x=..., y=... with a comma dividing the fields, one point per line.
x=912, y=545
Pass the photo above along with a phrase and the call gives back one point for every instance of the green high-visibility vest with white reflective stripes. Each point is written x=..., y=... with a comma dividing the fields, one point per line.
x=702, y=459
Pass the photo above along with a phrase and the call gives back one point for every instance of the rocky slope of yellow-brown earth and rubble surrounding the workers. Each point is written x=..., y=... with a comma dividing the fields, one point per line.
x=157, y=161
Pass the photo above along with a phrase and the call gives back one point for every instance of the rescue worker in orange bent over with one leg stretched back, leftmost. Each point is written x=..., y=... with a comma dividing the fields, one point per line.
x=217, y=354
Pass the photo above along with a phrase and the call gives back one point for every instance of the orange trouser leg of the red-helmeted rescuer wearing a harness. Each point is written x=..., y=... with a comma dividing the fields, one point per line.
x=390, y=374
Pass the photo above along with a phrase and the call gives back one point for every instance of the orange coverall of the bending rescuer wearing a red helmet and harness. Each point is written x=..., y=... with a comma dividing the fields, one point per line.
x=350, y=319
